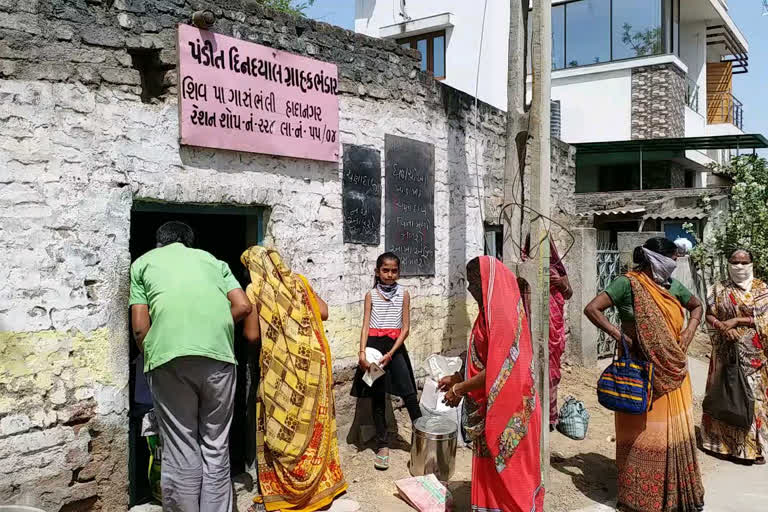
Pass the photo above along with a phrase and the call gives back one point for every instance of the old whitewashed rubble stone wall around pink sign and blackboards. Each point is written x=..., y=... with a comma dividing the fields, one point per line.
x=89, y=124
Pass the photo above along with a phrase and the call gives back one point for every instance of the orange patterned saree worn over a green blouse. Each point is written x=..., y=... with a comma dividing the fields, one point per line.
x=656, y=451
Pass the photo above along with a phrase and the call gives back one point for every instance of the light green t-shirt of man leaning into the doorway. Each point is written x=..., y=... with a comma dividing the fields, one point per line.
x=186, y=290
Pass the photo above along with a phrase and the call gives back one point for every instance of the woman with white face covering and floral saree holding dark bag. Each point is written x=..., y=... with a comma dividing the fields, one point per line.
x=735, y=420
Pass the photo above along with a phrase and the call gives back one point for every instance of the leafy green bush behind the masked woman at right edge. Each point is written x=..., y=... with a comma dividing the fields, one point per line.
x=746, y=225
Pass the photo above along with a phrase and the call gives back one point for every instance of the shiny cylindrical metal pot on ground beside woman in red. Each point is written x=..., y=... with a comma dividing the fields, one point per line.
x=433, y=447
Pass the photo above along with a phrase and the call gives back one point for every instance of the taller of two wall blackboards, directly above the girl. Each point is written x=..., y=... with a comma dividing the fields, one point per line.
x=410, y=204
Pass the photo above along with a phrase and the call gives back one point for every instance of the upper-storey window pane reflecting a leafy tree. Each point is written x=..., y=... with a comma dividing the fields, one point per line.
x=637, y=29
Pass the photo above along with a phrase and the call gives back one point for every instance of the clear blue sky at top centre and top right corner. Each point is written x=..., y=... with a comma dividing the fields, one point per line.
x=750, y=88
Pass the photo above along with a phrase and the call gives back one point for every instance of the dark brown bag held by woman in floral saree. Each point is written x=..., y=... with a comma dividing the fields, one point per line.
x=729, y=399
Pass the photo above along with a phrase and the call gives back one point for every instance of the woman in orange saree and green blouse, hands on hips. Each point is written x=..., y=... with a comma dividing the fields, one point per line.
x=656, y=451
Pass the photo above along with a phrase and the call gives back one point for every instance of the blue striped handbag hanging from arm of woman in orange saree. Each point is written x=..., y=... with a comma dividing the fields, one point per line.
x=626, y=385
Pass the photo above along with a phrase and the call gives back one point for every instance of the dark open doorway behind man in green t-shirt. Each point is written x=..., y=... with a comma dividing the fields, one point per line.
x=225, y=232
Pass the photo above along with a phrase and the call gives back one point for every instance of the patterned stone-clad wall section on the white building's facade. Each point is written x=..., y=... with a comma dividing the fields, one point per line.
x=658, y=102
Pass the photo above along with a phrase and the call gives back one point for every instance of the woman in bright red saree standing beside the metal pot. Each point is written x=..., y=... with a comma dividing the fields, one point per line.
x=502, y=414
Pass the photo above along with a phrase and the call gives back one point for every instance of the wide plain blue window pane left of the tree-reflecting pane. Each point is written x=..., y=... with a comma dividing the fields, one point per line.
x=587, y=32
